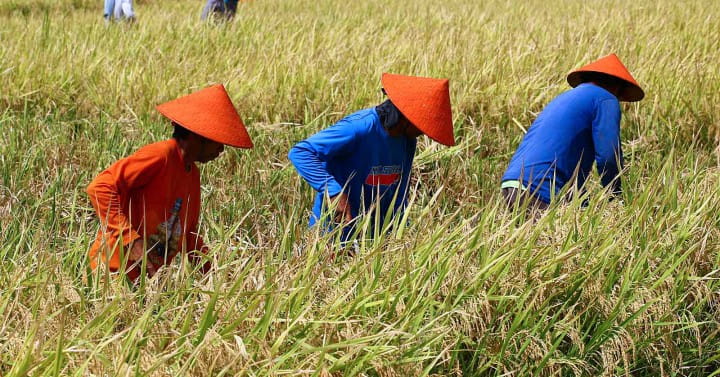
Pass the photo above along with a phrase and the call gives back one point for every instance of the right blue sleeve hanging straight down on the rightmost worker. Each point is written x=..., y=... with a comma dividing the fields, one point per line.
x=606, y=139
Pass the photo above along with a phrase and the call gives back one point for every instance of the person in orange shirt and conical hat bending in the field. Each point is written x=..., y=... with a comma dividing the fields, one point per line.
x=149, y=203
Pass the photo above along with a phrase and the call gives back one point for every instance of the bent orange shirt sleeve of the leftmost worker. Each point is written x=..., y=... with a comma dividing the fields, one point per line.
x=109, y=192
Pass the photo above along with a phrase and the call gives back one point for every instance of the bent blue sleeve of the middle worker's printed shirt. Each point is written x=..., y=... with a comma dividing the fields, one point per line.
x=311, y=155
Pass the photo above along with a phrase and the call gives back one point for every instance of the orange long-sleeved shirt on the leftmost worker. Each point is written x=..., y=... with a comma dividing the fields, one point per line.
x=136, y=194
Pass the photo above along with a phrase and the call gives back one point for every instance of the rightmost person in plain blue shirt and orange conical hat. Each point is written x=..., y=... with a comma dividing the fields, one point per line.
x=576, y=129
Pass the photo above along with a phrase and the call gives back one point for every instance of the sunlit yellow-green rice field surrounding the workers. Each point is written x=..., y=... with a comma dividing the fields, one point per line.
x=459, y=288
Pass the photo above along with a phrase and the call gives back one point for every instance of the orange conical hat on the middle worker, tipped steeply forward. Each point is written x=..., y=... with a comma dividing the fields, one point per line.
x=425, y=102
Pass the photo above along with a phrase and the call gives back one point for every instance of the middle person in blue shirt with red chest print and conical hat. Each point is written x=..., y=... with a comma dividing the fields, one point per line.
x=362, y=163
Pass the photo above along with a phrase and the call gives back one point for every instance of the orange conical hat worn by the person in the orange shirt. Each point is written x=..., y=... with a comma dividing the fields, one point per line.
x=209, y=113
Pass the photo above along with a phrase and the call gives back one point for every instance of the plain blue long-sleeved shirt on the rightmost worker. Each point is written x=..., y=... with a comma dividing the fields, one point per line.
x=577, y=128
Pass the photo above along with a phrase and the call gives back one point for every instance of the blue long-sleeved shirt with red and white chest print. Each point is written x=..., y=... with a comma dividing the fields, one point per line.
x=359, y=155
